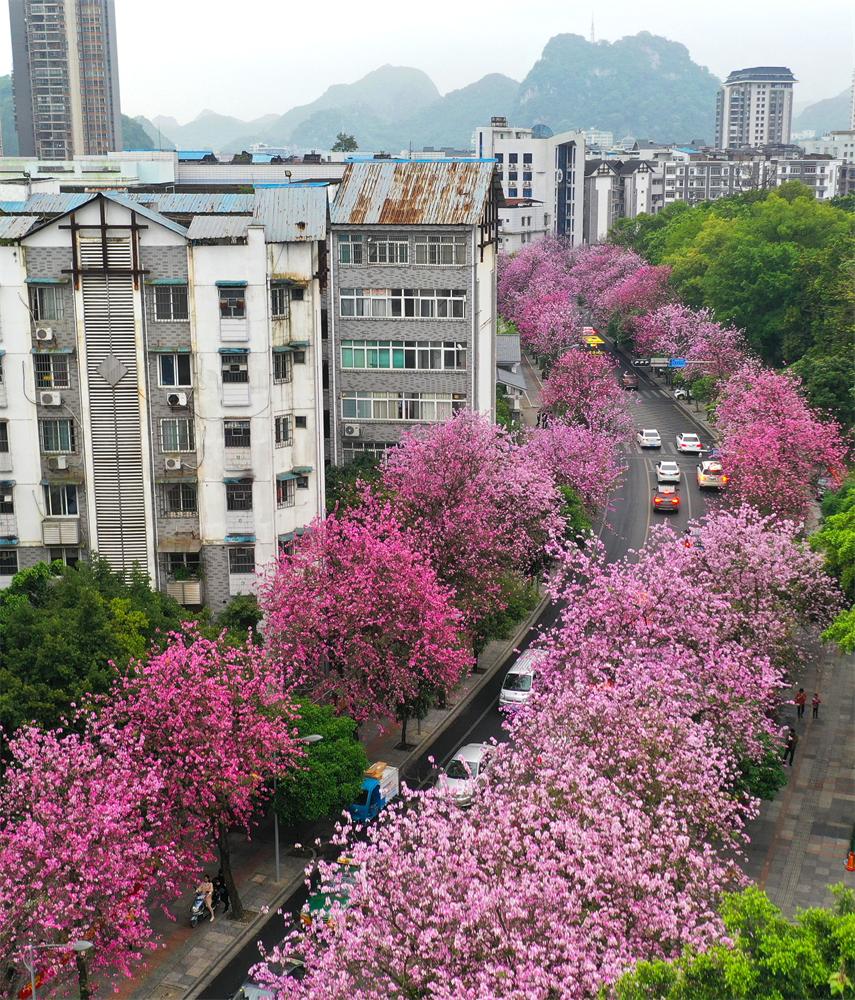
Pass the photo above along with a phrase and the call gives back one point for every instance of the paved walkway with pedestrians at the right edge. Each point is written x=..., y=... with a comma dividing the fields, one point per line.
x=799, y=843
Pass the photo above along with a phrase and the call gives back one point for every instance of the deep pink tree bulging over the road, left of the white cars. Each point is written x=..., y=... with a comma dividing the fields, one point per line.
x=583, y=389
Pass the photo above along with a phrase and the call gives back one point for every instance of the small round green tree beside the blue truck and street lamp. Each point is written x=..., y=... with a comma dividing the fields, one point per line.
x=330, y=777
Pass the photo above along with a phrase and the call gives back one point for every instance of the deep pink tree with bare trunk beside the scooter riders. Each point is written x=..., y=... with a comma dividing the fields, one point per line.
x=217, y=723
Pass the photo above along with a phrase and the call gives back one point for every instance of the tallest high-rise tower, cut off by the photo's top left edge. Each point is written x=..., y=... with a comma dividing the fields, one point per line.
x=65, y=77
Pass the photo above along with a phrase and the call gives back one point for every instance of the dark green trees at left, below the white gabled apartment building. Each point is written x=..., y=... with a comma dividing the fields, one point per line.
x=61, y=626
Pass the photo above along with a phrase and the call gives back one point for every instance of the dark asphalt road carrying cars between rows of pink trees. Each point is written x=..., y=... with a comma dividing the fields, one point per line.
x=624, y=529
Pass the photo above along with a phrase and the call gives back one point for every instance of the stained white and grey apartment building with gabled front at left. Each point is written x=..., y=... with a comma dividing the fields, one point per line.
x=160, y=393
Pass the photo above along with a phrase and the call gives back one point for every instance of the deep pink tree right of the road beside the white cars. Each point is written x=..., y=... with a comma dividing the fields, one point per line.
x=772, y=444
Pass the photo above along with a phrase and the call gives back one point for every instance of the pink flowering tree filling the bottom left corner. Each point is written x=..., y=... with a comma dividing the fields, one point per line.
x=81, y=853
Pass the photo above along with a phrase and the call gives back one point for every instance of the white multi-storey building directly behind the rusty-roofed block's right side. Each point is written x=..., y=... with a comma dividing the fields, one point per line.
x=535, y=165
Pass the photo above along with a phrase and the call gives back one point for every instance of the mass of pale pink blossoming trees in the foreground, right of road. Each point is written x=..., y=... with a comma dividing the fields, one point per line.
x=607, y=828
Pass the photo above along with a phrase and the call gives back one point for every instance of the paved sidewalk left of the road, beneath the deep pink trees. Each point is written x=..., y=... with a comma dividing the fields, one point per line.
x=187, y=958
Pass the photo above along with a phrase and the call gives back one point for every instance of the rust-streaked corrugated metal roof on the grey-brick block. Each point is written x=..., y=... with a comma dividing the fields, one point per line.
x=413, y=193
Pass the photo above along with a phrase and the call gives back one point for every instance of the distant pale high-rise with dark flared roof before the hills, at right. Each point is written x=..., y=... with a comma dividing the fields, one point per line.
x=754, y=107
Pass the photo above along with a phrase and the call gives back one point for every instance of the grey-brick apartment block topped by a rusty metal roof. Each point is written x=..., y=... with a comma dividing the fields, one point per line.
x=412, y=313
